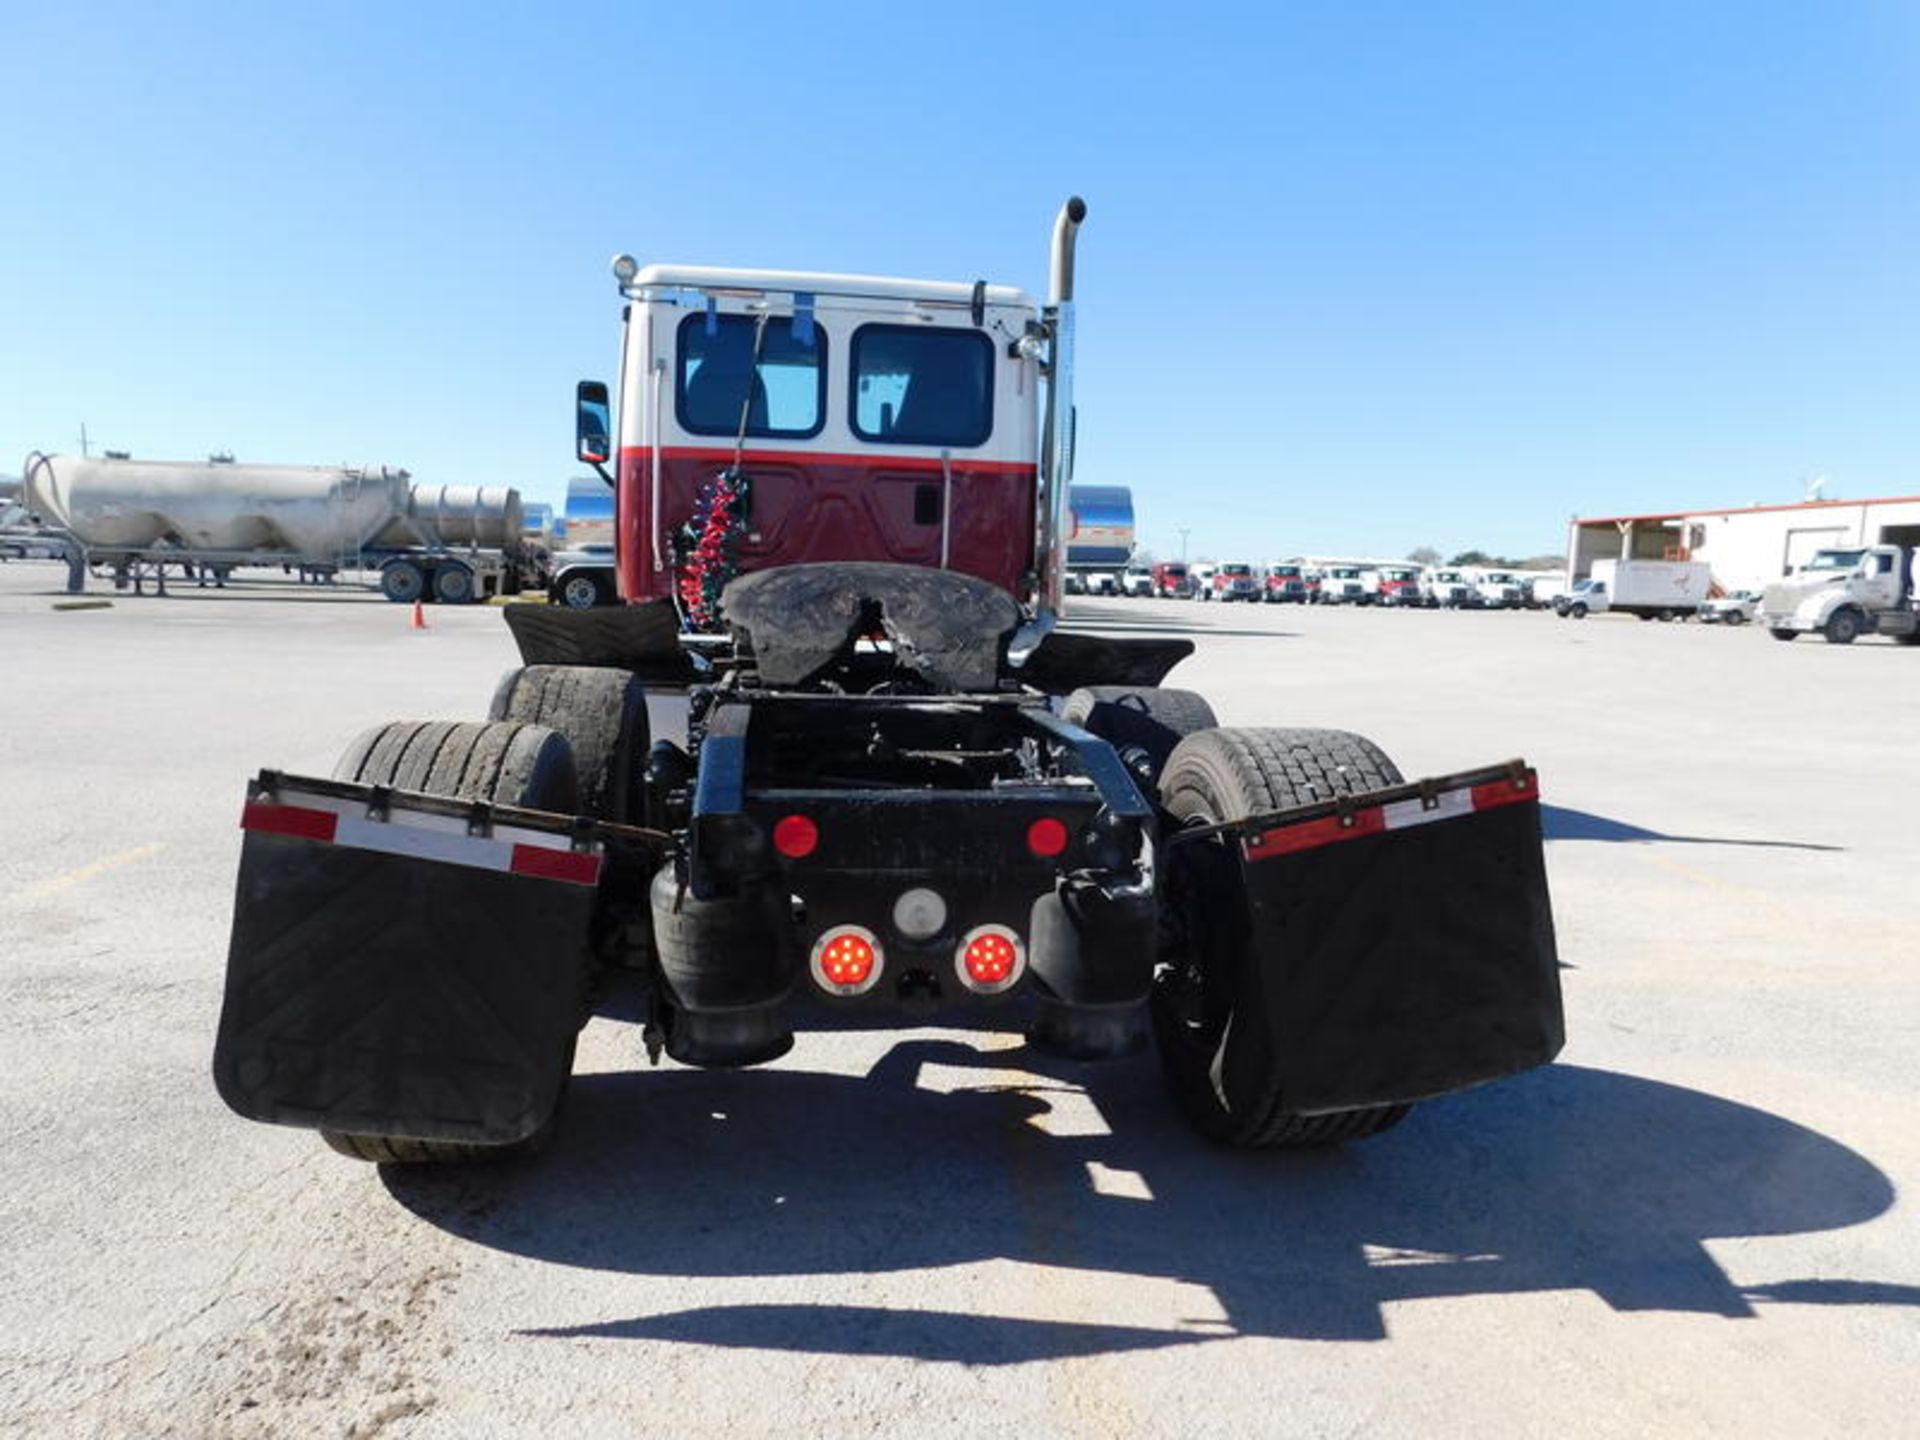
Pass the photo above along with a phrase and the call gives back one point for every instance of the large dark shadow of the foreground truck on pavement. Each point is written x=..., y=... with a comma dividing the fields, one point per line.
x=1560, y=1180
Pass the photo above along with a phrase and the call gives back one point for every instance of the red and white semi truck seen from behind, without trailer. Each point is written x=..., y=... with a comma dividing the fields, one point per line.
x=898, y=794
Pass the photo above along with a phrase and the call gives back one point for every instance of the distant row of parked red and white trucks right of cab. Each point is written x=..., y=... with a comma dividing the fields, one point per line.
x=1347, y=583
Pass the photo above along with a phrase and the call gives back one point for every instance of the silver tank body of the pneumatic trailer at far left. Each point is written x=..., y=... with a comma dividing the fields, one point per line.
x=312, y=512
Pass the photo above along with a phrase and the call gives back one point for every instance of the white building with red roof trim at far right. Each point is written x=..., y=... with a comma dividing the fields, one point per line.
x=1750, y=546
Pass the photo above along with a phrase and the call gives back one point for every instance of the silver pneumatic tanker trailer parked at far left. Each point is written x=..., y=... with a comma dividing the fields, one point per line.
x=425, y=542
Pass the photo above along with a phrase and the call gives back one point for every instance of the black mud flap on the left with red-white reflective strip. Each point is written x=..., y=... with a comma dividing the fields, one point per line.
x=400, y=971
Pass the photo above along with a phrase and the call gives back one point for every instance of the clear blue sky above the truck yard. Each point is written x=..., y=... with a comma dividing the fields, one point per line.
x=1356, y=277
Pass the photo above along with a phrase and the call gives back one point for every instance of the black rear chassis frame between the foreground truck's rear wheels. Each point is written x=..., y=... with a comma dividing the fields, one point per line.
x=936, y=794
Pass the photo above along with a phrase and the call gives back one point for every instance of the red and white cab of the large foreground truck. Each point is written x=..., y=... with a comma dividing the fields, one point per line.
x=882, y=421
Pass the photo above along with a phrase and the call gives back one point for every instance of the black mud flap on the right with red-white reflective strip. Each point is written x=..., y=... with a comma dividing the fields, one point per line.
x=1403, y=946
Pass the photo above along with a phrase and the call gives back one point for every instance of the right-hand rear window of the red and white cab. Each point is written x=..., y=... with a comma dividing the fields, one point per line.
x=921, y=387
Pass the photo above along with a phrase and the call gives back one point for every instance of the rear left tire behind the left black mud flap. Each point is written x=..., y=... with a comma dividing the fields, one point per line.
x=500, y=763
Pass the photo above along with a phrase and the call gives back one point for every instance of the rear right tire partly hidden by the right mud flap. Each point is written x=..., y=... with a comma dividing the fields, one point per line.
x=1216, y=777
